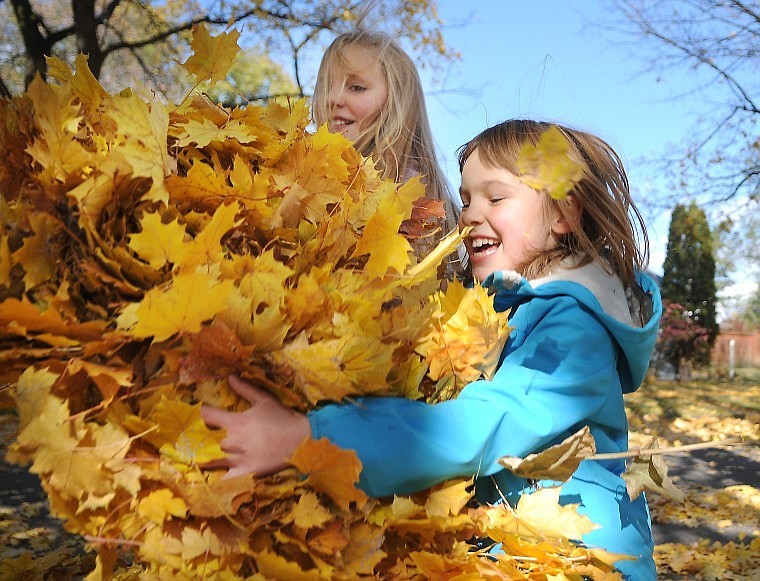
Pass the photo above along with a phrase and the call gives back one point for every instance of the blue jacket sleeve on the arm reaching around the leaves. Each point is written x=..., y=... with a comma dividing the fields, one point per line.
x=558, y=370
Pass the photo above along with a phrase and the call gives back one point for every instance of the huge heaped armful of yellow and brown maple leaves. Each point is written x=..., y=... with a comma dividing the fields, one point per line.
x=147, y=252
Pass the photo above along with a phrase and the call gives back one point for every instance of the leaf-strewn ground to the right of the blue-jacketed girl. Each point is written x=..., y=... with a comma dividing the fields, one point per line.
x=715, y=533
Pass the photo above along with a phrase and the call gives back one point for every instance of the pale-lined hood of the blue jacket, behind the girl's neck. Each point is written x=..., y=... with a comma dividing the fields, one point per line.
x=631, y=315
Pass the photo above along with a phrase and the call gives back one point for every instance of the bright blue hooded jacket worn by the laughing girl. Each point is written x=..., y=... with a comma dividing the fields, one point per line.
x=573, y=351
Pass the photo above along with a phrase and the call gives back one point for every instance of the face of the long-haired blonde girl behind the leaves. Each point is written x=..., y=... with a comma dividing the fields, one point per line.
x=356, y=94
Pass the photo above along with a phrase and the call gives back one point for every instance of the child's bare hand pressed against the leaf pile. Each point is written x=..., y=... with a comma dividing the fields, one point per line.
x=260, y=439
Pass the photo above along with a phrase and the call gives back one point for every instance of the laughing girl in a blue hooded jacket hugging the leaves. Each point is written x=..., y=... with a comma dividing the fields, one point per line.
x=584, y=321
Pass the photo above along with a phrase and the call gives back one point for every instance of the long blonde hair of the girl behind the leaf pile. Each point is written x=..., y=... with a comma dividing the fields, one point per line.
x=399, y=140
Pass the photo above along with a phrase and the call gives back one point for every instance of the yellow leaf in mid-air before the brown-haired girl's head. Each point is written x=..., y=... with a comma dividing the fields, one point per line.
x=547, y=166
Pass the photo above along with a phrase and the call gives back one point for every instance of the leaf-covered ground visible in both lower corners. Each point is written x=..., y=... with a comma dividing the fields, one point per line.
x=715, y=534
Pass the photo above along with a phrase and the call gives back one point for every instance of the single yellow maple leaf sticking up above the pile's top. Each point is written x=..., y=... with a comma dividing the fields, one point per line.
x=212, y=55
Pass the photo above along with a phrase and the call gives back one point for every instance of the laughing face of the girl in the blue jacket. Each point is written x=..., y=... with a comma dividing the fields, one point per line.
x=510, y=221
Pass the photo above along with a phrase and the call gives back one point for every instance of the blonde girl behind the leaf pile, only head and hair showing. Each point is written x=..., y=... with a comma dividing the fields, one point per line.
x=368, y=89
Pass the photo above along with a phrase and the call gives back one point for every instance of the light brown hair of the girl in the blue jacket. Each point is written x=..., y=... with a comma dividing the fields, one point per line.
x=607, y=227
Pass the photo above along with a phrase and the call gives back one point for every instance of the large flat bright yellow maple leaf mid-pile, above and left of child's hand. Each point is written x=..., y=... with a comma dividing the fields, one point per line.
x=191, y=299
